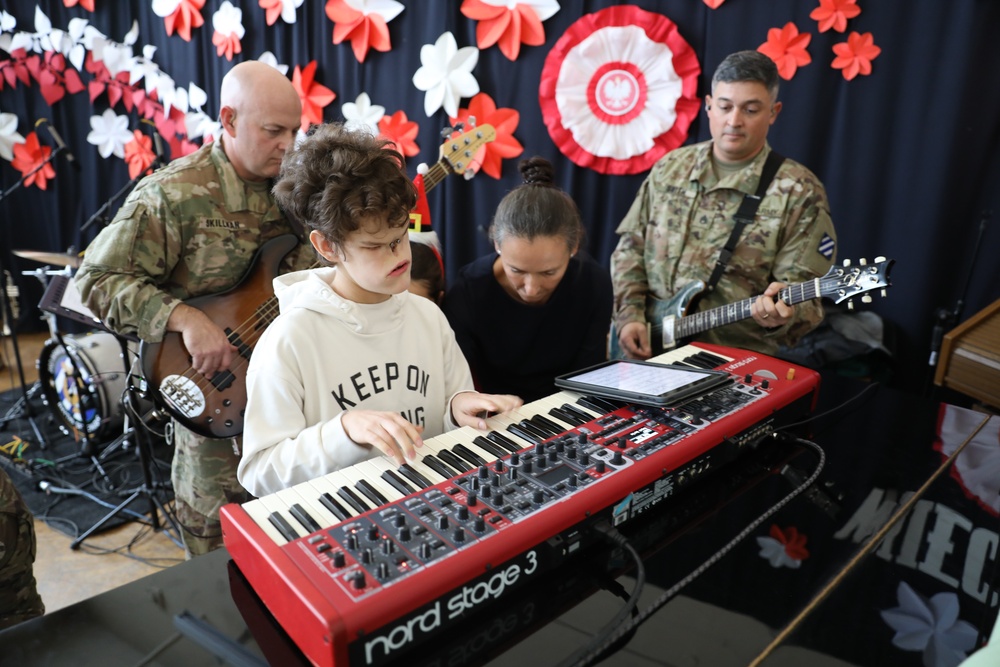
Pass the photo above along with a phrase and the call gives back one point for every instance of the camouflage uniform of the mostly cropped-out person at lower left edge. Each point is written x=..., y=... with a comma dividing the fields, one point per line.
x=19, y=599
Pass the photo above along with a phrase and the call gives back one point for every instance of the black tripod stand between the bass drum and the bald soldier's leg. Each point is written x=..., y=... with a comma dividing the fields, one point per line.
x=134, y=425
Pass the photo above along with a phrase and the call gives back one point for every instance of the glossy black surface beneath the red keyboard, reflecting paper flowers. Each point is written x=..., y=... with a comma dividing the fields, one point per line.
x=805, y=586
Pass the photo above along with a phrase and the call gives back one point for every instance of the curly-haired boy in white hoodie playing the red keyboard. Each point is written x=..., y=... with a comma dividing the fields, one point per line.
x=354, y=367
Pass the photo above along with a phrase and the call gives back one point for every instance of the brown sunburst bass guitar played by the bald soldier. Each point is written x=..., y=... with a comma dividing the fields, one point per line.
x=214, y=407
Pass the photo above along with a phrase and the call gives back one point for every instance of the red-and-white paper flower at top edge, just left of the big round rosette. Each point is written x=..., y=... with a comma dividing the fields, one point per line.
x=509, y=23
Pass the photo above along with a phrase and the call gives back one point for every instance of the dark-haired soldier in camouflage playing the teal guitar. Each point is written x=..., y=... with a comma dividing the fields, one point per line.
x=683, y=216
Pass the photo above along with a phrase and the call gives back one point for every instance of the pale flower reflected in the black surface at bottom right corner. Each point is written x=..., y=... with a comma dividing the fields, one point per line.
x=930, y=626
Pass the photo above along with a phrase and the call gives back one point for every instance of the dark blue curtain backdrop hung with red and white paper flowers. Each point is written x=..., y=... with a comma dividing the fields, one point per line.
x=910, y=155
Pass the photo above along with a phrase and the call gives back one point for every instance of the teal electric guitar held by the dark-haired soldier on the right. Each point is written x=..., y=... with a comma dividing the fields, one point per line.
x=668, y=323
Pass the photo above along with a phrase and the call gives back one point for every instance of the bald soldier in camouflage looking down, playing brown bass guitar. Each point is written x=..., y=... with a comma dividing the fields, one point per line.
x=191, y=229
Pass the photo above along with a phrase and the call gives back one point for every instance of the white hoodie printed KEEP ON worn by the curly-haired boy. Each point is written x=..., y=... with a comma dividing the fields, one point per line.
x=324, y=354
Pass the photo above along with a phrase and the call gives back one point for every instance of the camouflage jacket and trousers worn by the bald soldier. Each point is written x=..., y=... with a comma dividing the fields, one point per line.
x=188, y=230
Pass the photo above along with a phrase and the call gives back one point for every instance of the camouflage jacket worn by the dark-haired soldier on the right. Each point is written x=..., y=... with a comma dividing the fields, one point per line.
x=683, y=216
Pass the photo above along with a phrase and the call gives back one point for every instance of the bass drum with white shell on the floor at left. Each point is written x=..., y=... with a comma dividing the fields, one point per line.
x=95, y=358
